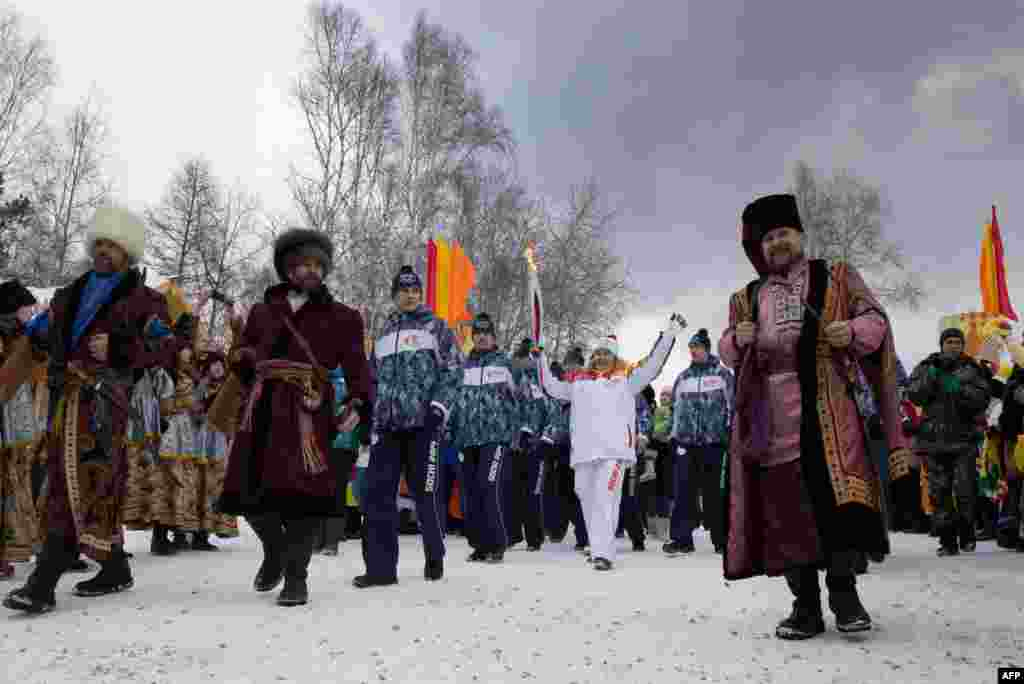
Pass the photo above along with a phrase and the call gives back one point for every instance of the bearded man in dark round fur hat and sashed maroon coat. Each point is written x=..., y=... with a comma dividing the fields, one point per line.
x=280, y=475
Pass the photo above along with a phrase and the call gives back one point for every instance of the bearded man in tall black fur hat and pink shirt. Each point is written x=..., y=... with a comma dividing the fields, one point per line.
x=802, y=492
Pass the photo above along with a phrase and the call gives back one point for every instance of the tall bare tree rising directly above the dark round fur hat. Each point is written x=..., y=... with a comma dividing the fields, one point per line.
x=348, y=98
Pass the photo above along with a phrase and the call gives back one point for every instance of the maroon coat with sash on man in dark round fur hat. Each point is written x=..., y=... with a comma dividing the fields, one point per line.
x=271, y=468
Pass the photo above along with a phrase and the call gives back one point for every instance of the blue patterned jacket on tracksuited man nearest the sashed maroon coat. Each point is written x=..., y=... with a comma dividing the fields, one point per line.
x=417, y=364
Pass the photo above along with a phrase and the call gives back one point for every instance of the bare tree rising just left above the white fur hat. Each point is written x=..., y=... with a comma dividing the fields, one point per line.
x=69, y=185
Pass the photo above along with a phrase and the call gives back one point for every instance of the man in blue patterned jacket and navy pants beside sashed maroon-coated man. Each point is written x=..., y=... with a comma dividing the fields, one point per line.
x=418, y=368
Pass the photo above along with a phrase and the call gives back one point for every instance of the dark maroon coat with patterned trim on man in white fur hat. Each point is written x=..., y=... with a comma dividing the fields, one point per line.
x=88, y=473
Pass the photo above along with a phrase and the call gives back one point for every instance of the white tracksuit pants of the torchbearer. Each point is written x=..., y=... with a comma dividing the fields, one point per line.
x=600, y=486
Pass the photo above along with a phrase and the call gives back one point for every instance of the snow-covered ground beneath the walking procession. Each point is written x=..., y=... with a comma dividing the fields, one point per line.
x=544, y=617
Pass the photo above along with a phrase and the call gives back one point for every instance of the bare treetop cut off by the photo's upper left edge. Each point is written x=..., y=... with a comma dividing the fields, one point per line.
x=27, y=75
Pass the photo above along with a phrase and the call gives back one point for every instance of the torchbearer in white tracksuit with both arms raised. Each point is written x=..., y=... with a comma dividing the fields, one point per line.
x=604, y=430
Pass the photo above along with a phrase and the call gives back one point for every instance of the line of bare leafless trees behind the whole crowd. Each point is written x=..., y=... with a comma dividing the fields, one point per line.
x=400, y=151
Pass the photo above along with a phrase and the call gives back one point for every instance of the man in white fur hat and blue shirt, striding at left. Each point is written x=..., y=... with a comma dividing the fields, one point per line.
x=95, y=337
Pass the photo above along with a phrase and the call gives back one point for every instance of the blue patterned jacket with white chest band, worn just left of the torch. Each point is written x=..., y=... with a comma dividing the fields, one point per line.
x=488, y=409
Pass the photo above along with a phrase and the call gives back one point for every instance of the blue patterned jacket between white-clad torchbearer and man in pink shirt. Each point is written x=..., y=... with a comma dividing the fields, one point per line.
x=702, y=410
